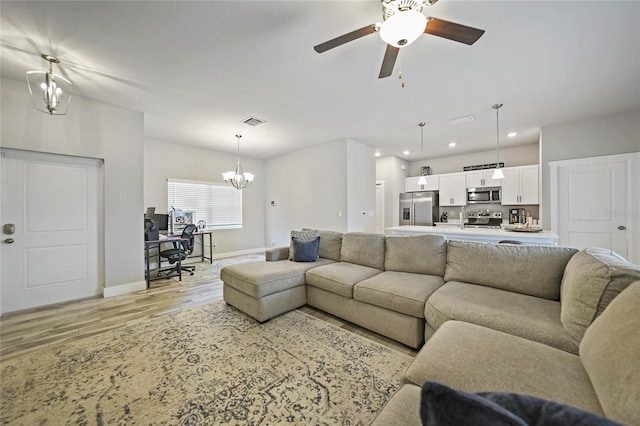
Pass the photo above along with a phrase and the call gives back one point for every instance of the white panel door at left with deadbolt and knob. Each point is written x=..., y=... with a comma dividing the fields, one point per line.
x=54, y=254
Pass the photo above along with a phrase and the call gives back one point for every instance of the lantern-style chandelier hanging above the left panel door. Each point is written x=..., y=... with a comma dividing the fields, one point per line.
x=50, y=93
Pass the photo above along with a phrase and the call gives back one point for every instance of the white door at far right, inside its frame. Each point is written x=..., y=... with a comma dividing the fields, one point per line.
x=589, y=203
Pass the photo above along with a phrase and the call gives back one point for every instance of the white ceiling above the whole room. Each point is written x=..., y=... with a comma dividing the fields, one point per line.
x=197, y=69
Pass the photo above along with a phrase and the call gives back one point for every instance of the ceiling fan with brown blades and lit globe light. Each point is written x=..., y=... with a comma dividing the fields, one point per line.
x=403, y=23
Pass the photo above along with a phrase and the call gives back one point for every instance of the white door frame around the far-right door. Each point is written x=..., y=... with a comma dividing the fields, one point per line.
x=632, y=161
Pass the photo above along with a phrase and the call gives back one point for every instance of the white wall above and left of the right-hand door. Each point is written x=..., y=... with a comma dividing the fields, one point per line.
x=608, y=135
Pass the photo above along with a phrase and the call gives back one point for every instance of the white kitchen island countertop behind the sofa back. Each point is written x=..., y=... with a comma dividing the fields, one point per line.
x=546, y=238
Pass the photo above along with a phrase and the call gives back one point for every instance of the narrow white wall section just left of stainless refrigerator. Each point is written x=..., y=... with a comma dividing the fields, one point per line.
x=390, y=171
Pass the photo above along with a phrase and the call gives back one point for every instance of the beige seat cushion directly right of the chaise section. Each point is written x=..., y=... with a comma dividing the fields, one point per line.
x=339, y=277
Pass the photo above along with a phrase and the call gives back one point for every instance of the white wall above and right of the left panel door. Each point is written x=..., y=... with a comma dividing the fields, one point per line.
x=96, y=130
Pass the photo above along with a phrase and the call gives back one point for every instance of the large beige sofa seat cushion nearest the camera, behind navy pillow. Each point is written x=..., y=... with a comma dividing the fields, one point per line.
x=477, y=359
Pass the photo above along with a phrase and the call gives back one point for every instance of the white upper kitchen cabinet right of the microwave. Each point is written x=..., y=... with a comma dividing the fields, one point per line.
x=520, y=185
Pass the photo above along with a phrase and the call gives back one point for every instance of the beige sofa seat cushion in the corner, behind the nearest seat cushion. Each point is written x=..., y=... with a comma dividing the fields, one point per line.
x=529, y=317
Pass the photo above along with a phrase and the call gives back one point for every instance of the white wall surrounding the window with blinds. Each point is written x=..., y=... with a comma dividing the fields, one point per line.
x=163, y=160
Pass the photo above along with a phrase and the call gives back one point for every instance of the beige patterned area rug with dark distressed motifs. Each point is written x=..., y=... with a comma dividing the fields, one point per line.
x=207, y=365
